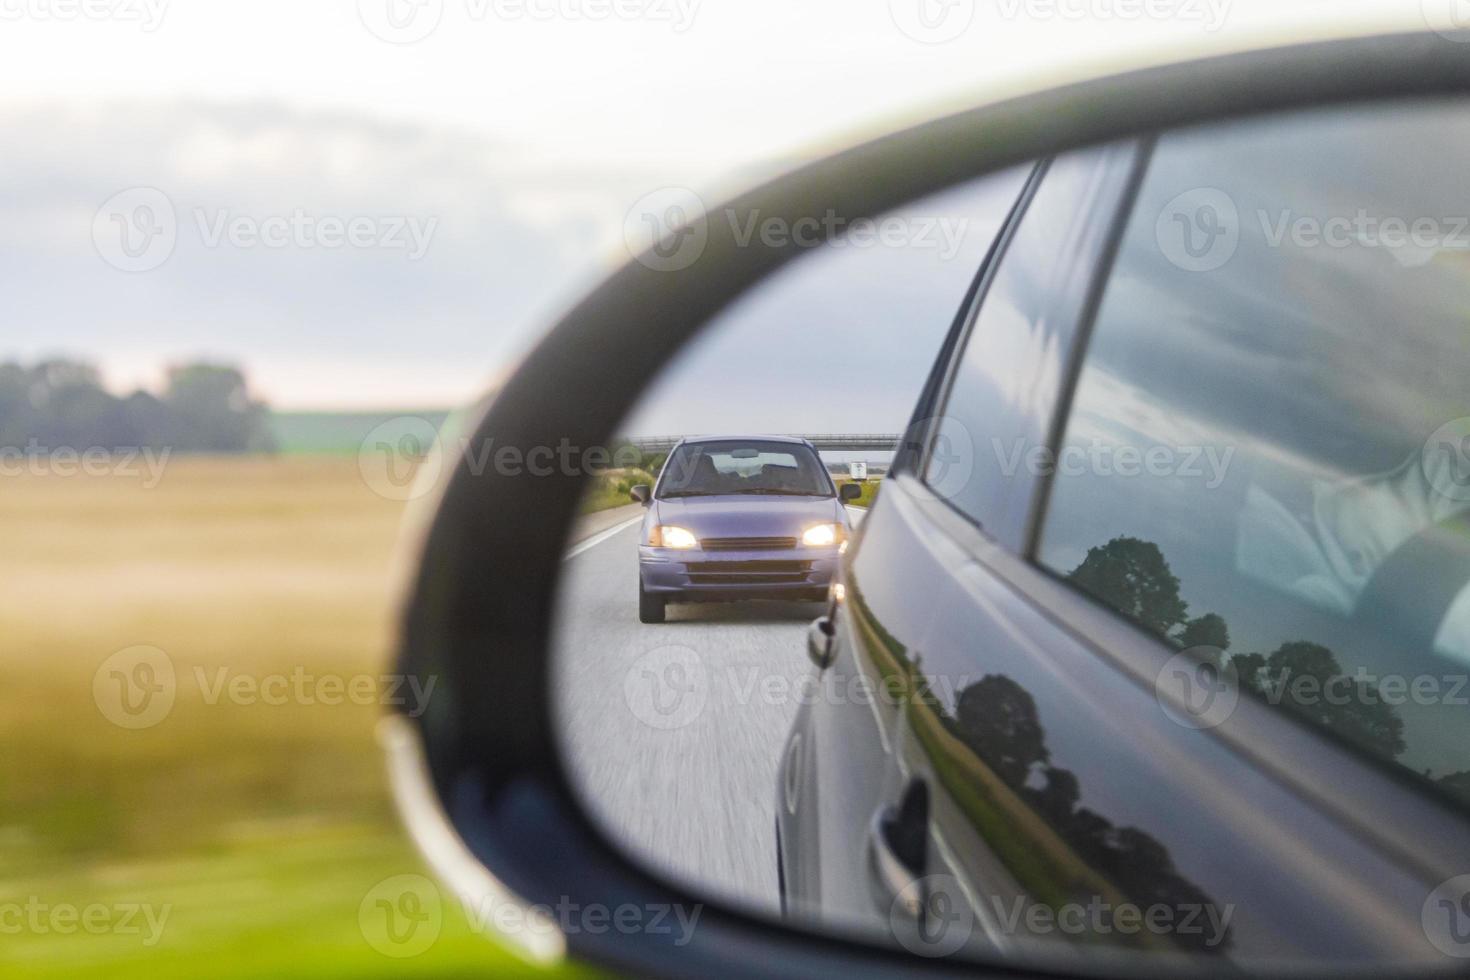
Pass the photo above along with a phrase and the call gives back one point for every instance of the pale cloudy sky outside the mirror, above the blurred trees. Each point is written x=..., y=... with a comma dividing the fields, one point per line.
x=380, y=202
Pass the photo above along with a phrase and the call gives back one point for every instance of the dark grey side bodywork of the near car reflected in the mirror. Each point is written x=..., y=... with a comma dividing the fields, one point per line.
x=1017, y=752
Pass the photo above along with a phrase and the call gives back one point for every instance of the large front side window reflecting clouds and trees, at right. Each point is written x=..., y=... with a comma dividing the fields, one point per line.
x=1268, y=461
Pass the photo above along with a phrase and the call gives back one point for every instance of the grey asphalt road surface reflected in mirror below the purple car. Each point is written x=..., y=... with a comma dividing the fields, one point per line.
x=674, y=732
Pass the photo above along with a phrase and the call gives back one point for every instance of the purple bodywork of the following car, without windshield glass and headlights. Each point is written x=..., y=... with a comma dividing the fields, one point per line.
x=749, y=544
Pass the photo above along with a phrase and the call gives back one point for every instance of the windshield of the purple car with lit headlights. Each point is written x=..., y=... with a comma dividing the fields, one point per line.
x=708, y=469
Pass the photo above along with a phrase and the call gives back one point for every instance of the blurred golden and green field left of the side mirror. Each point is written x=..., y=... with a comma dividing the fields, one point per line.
x=258, y=828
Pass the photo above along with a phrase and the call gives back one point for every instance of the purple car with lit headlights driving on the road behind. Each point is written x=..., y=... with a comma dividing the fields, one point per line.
x=740, y=518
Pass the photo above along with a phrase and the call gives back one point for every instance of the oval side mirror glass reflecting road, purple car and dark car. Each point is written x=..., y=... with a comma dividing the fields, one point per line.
x=1200, y=400
